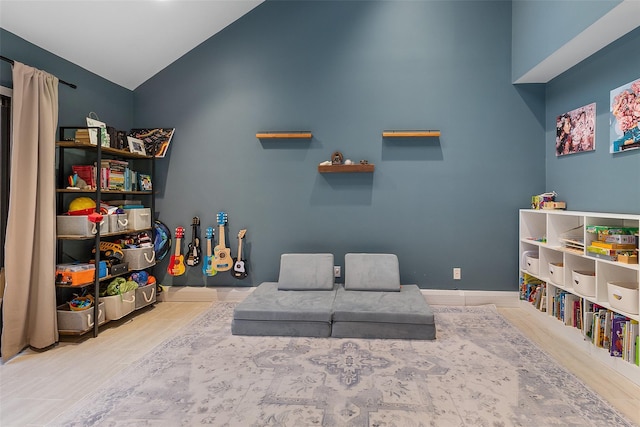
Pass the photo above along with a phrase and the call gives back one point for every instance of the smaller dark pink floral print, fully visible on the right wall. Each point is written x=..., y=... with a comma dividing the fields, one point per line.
x=576, y=130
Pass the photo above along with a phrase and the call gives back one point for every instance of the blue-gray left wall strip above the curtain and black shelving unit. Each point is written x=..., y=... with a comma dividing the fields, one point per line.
x=111, y=102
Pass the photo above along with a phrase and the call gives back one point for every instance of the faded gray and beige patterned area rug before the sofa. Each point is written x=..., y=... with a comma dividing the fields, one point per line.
x=480, y=371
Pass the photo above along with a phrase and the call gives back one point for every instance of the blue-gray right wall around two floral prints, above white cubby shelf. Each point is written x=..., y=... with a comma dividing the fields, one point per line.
x=596, y=180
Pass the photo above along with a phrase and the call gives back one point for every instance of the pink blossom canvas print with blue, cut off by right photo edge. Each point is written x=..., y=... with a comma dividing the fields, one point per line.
x=625, y=117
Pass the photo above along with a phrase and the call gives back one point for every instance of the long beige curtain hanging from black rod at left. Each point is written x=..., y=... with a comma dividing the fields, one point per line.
x=29, y=304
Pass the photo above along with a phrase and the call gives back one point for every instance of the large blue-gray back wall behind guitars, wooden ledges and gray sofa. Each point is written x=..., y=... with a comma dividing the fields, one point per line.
x=346, y=71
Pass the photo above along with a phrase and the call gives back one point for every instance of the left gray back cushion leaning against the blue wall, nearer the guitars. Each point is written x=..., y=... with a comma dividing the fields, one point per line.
x=306, y=272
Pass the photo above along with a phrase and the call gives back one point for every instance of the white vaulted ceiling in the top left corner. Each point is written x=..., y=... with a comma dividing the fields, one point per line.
x=124, y=41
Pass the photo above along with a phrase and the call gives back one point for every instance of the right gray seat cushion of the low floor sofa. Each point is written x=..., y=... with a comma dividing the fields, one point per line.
x=406, y=306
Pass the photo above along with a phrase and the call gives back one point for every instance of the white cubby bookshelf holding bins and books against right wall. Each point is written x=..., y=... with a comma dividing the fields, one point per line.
x=546, y=233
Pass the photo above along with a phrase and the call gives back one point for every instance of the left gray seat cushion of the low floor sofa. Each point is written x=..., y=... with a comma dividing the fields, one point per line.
x=268, y=303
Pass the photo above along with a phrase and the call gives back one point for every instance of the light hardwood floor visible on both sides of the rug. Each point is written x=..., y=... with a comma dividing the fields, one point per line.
x=35, y=387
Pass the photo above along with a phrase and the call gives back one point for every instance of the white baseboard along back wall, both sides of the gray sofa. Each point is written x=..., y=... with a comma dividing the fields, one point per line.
x=433, y=296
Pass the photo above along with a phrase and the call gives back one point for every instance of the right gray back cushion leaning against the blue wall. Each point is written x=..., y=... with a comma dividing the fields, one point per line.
x=371, y=272
